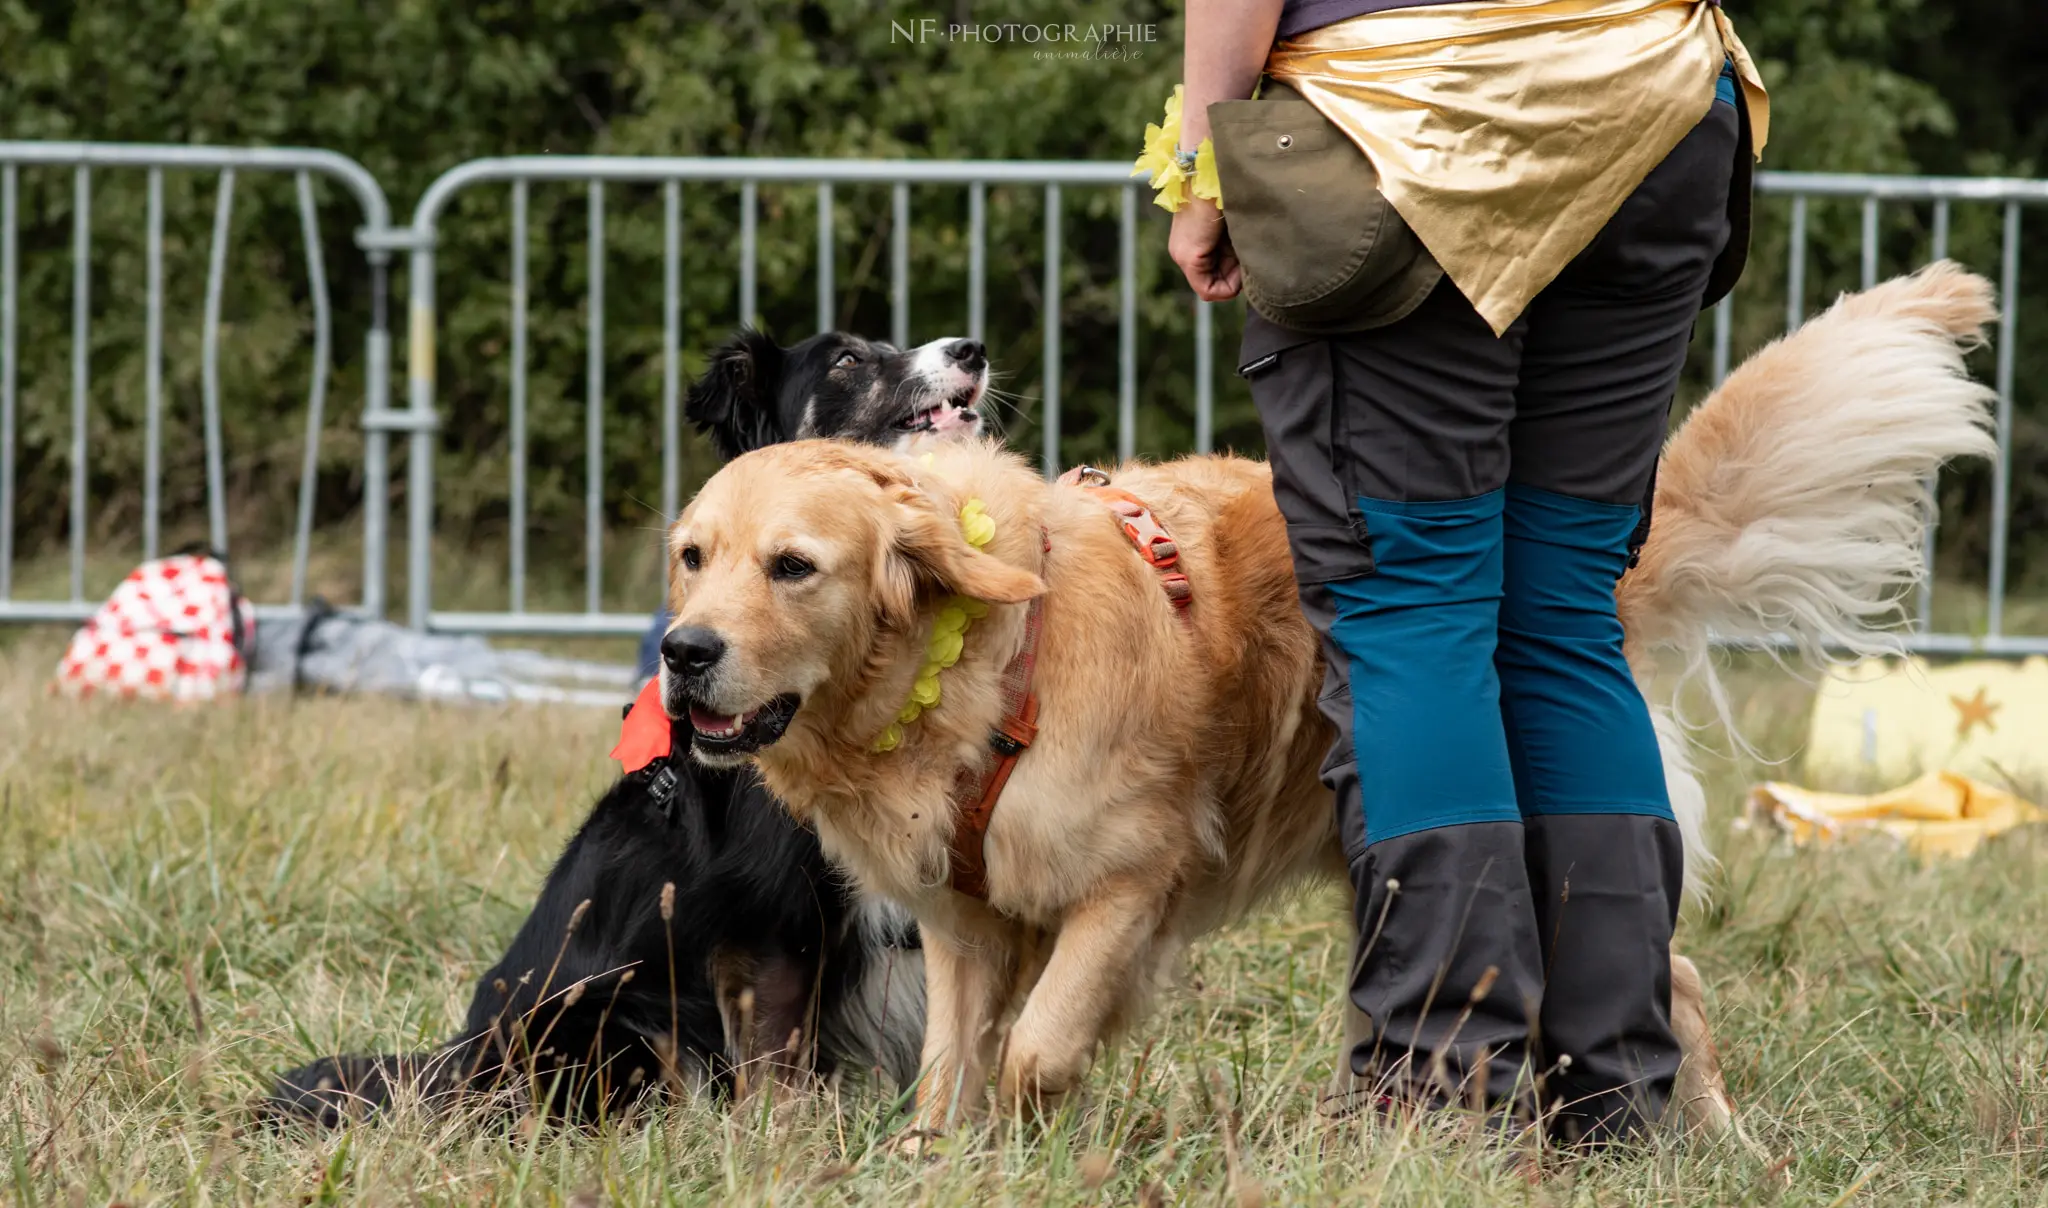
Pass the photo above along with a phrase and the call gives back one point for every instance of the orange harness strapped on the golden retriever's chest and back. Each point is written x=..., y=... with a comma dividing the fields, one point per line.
x=978, y=791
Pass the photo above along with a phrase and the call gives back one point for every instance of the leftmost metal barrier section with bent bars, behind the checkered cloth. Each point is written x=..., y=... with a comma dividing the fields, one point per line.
x=304, y=165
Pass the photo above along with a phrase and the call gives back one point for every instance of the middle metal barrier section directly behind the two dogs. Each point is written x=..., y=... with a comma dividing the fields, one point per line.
x=749, y=175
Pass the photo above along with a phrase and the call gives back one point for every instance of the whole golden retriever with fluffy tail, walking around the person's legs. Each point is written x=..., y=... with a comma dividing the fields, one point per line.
x=1175, y=781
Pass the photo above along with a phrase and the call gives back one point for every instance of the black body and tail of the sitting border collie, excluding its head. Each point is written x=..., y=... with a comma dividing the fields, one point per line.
x=687, y=906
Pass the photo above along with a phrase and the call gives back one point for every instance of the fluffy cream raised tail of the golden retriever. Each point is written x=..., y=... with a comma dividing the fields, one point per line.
x=1791, y=507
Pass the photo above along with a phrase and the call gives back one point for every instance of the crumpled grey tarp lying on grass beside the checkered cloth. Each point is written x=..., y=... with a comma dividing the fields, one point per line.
x=353, y=654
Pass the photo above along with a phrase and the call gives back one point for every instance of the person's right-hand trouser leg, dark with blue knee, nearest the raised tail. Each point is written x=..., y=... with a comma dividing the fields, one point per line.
x=1603, y=353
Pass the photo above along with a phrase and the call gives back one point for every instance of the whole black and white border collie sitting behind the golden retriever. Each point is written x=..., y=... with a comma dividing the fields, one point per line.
x=693, y=937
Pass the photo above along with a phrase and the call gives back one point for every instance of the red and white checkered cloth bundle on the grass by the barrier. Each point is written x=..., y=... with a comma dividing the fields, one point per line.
x=167, y=634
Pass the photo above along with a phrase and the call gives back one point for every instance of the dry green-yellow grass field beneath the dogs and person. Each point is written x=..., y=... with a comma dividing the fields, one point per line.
x=194, y=900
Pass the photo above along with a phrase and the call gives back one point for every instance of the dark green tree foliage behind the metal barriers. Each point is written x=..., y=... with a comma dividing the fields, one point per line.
x=413, y=89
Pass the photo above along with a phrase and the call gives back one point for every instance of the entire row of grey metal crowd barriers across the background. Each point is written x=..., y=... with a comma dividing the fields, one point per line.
x=419, y=421
